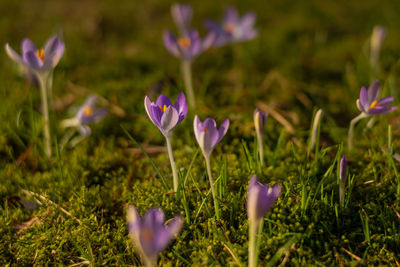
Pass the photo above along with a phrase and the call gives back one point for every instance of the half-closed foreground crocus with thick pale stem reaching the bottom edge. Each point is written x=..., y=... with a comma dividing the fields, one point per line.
x=260, y=199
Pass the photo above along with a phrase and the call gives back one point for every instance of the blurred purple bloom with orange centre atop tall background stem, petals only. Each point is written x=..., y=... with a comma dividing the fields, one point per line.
x=189, y=45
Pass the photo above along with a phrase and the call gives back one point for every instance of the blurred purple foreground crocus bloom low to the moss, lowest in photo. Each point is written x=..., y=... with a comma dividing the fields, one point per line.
x=150, y=234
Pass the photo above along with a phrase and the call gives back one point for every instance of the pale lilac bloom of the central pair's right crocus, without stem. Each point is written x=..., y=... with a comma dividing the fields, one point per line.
x=207, y=134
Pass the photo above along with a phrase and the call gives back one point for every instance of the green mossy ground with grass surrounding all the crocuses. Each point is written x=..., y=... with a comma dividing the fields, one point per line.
x=308, y=54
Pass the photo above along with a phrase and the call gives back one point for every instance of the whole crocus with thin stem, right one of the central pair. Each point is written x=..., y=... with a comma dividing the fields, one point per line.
x=208, y=136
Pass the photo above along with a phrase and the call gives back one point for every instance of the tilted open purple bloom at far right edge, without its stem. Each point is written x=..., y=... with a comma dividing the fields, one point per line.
x=369, y=104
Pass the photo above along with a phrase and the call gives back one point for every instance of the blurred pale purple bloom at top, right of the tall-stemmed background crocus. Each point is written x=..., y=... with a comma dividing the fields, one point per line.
x=233, y=27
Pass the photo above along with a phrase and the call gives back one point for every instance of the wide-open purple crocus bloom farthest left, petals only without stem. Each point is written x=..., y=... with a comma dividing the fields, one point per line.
x=38, y=60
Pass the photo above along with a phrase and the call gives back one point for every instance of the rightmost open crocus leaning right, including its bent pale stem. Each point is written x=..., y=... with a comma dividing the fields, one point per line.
x=370, y=105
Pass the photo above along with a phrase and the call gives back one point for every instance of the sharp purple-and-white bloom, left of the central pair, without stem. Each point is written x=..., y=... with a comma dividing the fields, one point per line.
x=165, y=115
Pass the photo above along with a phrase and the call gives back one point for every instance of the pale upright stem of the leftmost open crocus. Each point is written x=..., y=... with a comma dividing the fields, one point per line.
x=45, y=109
